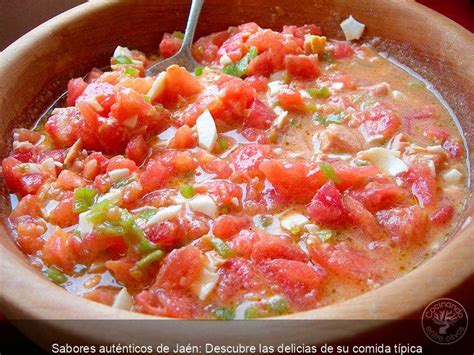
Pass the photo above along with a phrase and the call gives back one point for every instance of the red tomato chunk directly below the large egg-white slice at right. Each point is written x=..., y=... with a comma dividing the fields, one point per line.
x=377, y=196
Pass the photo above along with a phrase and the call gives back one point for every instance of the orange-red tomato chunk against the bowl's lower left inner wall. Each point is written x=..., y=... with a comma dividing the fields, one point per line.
x=29, y=234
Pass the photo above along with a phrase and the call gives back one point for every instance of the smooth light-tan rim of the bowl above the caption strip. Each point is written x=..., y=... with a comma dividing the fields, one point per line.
x=392, y=300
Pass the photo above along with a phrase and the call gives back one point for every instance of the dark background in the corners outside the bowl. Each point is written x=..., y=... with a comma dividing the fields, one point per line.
x=17, y=17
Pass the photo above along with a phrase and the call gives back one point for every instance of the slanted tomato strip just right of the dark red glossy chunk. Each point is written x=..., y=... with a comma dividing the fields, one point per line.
x=362, y=219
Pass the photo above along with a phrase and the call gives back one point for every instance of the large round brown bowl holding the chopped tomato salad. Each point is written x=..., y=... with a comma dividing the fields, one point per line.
x=35, y=69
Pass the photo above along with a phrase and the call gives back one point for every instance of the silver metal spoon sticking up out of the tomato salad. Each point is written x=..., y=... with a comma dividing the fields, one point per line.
x=184, y=56
